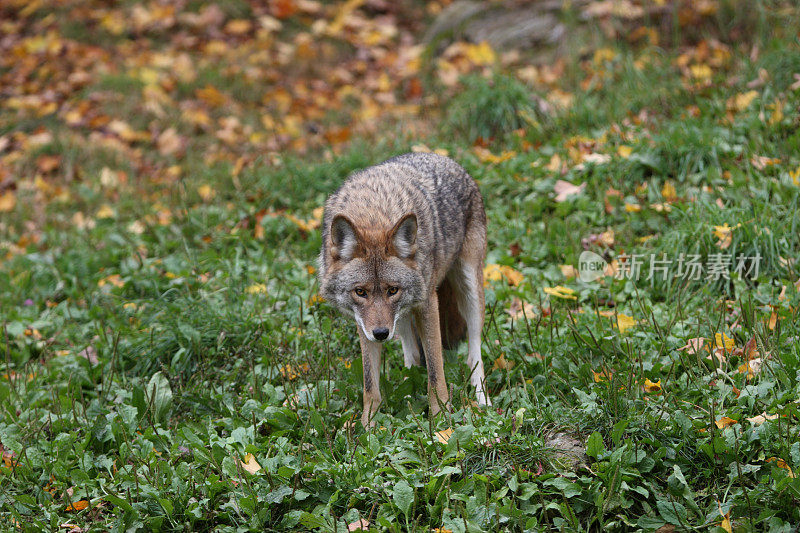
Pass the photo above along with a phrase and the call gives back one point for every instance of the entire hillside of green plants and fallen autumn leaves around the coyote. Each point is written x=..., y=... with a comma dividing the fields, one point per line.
x=166, y=363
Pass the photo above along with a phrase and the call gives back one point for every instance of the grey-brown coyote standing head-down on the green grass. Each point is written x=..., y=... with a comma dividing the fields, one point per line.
x=403, y=247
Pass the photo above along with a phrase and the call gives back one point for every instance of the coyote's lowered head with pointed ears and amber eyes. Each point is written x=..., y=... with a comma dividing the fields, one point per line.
x=373, y=274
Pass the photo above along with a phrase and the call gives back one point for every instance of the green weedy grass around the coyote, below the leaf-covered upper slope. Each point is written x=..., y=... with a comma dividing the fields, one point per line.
x=161, y=336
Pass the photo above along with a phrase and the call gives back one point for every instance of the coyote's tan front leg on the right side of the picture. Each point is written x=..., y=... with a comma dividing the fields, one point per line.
x=427, y=319
